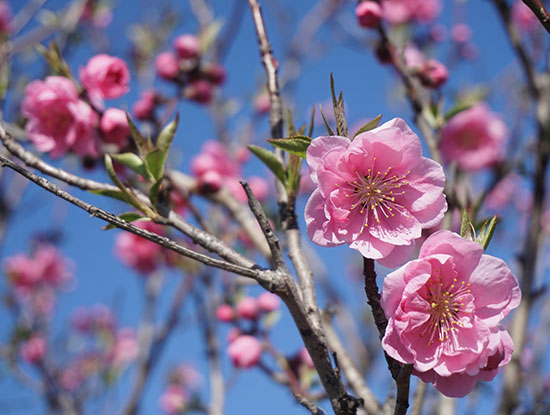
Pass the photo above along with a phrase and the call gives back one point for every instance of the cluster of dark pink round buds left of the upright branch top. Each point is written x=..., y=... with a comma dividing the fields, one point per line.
x=185, y=66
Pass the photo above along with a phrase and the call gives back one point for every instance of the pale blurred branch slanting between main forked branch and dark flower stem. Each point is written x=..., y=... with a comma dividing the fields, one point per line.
x=350, y=370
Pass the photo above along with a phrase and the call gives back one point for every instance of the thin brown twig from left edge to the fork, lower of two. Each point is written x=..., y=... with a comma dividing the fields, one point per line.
x=122, y=224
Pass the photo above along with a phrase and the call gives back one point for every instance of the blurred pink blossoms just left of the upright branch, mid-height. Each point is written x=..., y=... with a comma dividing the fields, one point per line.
x=215, y=168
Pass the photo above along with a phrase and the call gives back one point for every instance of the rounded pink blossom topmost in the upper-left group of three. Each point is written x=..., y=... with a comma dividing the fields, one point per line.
x=105, y=77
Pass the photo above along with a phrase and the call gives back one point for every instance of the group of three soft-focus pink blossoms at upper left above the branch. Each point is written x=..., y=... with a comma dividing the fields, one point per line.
x=60, y=121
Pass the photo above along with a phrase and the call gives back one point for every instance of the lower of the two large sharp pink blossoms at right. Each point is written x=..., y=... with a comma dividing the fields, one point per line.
x=444, y=311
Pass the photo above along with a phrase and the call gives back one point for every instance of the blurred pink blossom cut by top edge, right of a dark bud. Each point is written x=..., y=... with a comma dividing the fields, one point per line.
x=402, y=11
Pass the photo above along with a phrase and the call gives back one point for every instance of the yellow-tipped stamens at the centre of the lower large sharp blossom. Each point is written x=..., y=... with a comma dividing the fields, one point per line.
x=448, y=307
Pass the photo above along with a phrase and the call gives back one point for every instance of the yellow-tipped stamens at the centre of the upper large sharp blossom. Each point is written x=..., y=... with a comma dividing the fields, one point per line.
x=375, y=193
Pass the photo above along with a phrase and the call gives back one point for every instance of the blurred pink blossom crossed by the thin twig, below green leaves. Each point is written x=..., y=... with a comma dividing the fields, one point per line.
x=137, y=252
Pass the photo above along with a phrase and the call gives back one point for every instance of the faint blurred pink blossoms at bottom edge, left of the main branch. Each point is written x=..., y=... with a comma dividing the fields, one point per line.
x=183, y=381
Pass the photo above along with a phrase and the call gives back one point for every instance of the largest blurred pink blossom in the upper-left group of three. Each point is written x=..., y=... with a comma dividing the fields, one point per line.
x=57, y=120
